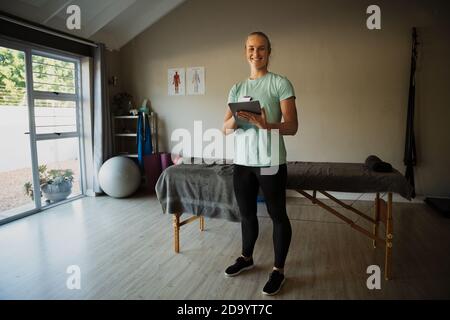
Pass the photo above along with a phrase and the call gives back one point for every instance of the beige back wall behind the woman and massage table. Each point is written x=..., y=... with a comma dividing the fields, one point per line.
x=351, y=83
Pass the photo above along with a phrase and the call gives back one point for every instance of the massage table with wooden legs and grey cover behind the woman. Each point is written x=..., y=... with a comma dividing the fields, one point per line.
x=206, y=190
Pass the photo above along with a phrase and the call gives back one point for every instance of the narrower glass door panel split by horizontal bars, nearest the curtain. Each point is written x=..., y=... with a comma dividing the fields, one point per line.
x=55, y=103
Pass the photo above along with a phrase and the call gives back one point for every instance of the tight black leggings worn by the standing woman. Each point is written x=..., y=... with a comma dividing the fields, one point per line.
x=246, y=182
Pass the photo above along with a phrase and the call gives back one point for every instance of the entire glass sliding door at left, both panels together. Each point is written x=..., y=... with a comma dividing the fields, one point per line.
x=40, y=121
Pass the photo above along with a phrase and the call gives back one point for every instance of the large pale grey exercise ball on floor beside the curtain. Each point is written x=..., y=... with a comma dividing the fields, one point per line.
x=119, y=177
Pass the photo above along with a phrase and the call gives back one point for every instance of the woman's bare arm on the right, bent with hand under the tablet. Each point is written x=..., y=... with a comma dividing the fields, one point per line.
x=288, y=127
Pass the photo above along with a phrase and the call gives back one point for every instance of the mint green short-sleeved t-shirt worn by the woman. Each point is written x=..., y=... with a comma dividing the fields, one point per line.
x=253, y=146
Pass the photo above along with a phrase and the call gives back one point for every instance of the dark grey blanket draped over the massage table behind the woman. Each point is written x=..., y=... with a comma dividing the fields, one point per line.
x=207, y=190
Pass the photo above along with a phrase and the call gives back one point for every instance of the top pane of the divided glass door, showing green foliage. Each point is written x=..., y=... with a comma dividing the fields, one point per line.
x=53, y=75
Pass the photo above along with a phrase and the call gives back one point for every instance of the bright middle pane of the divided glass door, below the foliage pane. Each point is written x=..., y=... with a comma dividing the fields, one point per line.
x=53, y=116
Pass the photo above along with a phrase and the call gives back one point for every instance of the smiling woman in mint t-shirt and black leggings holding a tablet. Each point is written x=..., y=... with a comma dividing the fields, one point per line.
x=253, y=161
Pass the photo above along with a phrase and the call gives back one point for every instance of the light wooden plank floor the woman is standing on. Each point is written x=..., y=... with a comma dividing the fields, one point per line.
x=124, y=248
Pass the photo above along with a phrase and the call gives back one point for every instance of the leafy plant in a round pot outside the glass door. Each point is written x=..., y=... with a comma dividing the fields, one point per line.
x=55, y=185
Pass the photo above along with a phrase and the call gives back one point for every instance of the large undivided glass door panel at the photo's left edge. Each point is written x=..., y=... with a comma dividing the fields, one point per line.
x=16, y=176
